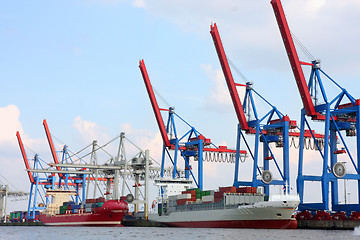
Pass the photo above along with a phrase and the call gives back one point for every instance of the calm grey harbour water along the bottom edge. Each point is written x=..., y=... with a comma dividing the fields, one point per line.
x=135, y=233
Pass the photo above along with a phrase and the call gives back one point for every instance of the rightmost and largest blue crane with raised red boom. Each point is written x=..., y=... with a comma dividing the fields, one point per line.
x=336, y=116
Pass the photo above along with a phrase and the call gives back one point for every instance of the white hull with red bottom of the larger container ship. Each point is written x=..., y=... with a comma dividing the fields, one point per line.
x=276, y=213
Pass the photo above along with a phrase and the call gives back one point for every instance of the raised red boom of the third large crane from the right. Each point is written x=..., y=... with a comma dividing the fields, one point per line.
x=154, y=103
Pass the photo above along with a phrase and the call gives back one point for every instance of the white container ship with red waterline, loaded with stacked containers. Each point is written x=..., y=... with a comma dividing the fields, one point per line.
x=230, y=207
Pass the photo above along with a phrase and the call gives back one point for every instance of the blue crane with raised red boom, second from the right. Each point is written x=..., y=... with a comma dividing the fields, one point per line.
x=272, y=127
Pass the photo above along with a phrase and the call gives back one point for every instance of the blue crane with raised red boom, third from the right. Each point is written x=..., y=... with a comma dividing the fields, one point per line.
x=191, y=144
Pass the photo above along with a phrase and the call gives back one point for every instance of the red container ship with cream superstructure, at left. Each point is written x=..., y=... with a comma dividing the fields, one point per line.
x=92, y=212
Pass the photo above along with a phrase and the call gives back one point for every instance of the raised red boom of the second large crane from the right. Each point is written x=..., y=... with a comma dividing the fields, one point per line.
x=228, y=77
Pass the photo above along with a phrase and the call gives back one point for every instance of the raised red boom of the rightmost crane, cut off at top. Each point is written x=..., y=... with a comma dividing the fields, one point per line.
x=293, y=58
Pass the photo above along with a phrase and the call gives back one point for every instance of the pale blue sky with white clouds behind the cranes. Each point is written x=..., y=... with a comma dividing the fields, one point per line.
x=75, y=64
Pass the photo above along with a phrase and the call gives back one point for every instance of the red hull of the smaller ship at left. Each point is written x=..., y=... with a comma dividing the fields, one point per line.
x=110, y=214
